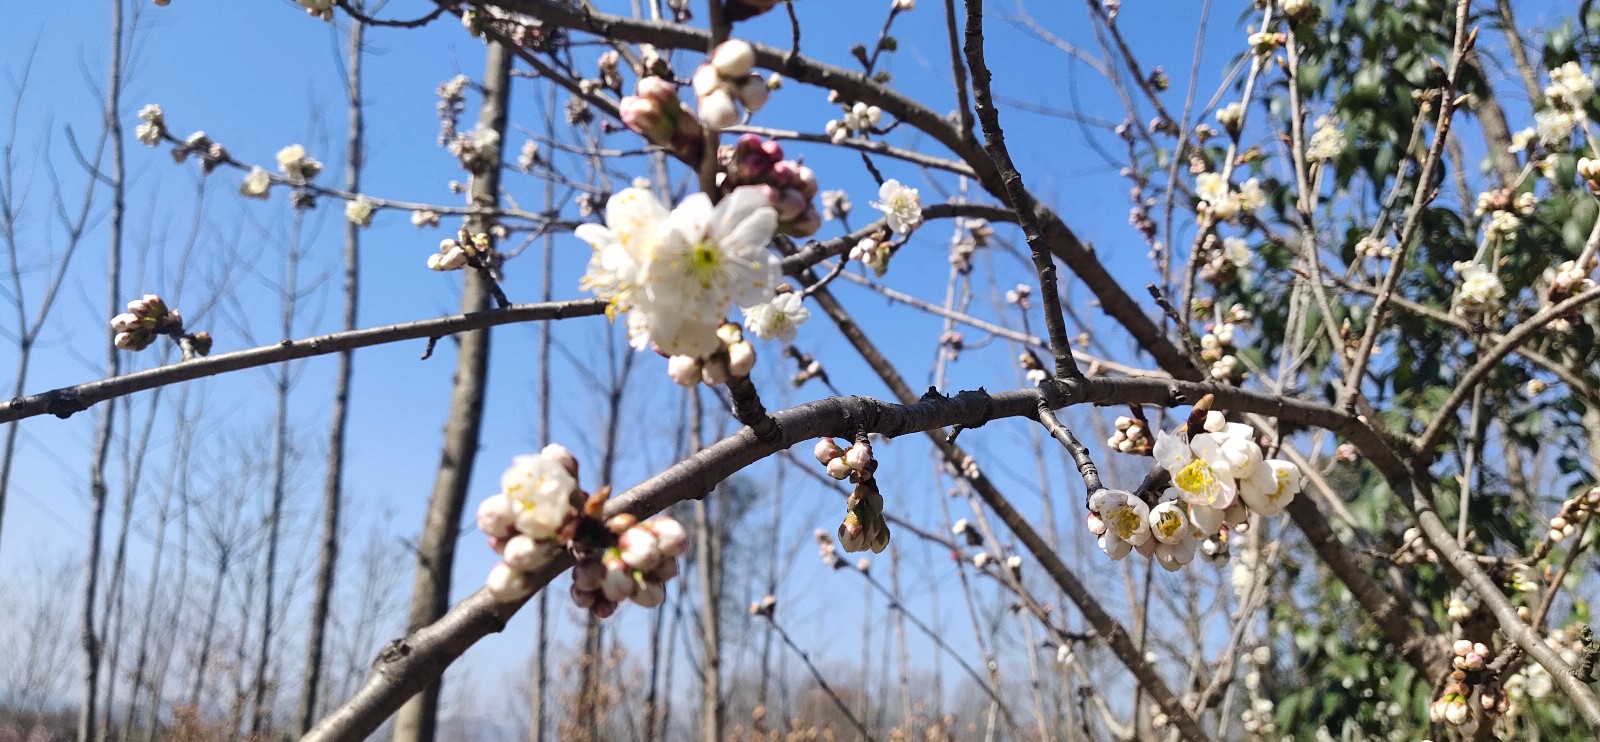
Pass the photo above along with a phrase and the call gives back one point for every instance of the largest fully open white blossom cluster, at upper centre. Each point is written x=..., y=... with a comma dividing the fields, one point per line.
x=676, y=273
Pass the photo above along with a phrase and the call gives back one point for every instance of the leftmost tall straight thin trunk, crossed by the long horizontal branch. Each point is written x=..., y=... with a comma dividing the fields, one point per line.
x=90, y=642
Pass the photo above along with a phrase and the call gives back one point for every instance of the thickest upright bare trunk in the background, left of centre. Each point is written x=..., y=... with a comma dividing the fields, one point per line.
x=438, y=548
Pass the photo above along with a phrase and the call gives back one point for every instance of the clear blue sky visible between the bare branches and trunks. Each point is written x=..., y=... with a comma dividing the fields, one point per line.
x=260, y=76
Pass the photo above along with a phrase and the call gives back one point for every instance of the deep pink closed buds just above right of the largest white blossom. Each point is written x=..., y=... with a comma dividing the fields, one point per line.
x=790, y=186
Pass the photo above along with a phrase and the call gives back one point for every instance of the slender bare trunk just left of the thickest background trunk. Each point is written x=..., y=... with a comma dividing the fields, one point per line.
x=327, y=560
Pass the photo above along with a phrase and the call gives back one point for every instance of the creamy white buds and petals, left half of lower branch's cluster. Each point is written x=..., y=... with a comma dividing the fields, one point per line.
x=534, y=514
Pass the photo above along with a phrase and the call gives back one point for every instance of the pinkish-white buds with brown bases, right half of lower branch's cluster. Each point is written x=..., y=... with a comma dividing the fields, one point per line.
x=638, y=568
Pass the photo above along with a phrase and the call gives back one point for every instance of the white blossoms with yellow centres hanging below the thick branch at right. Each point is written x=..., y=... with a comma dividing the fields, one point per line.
x=1220, y=477
